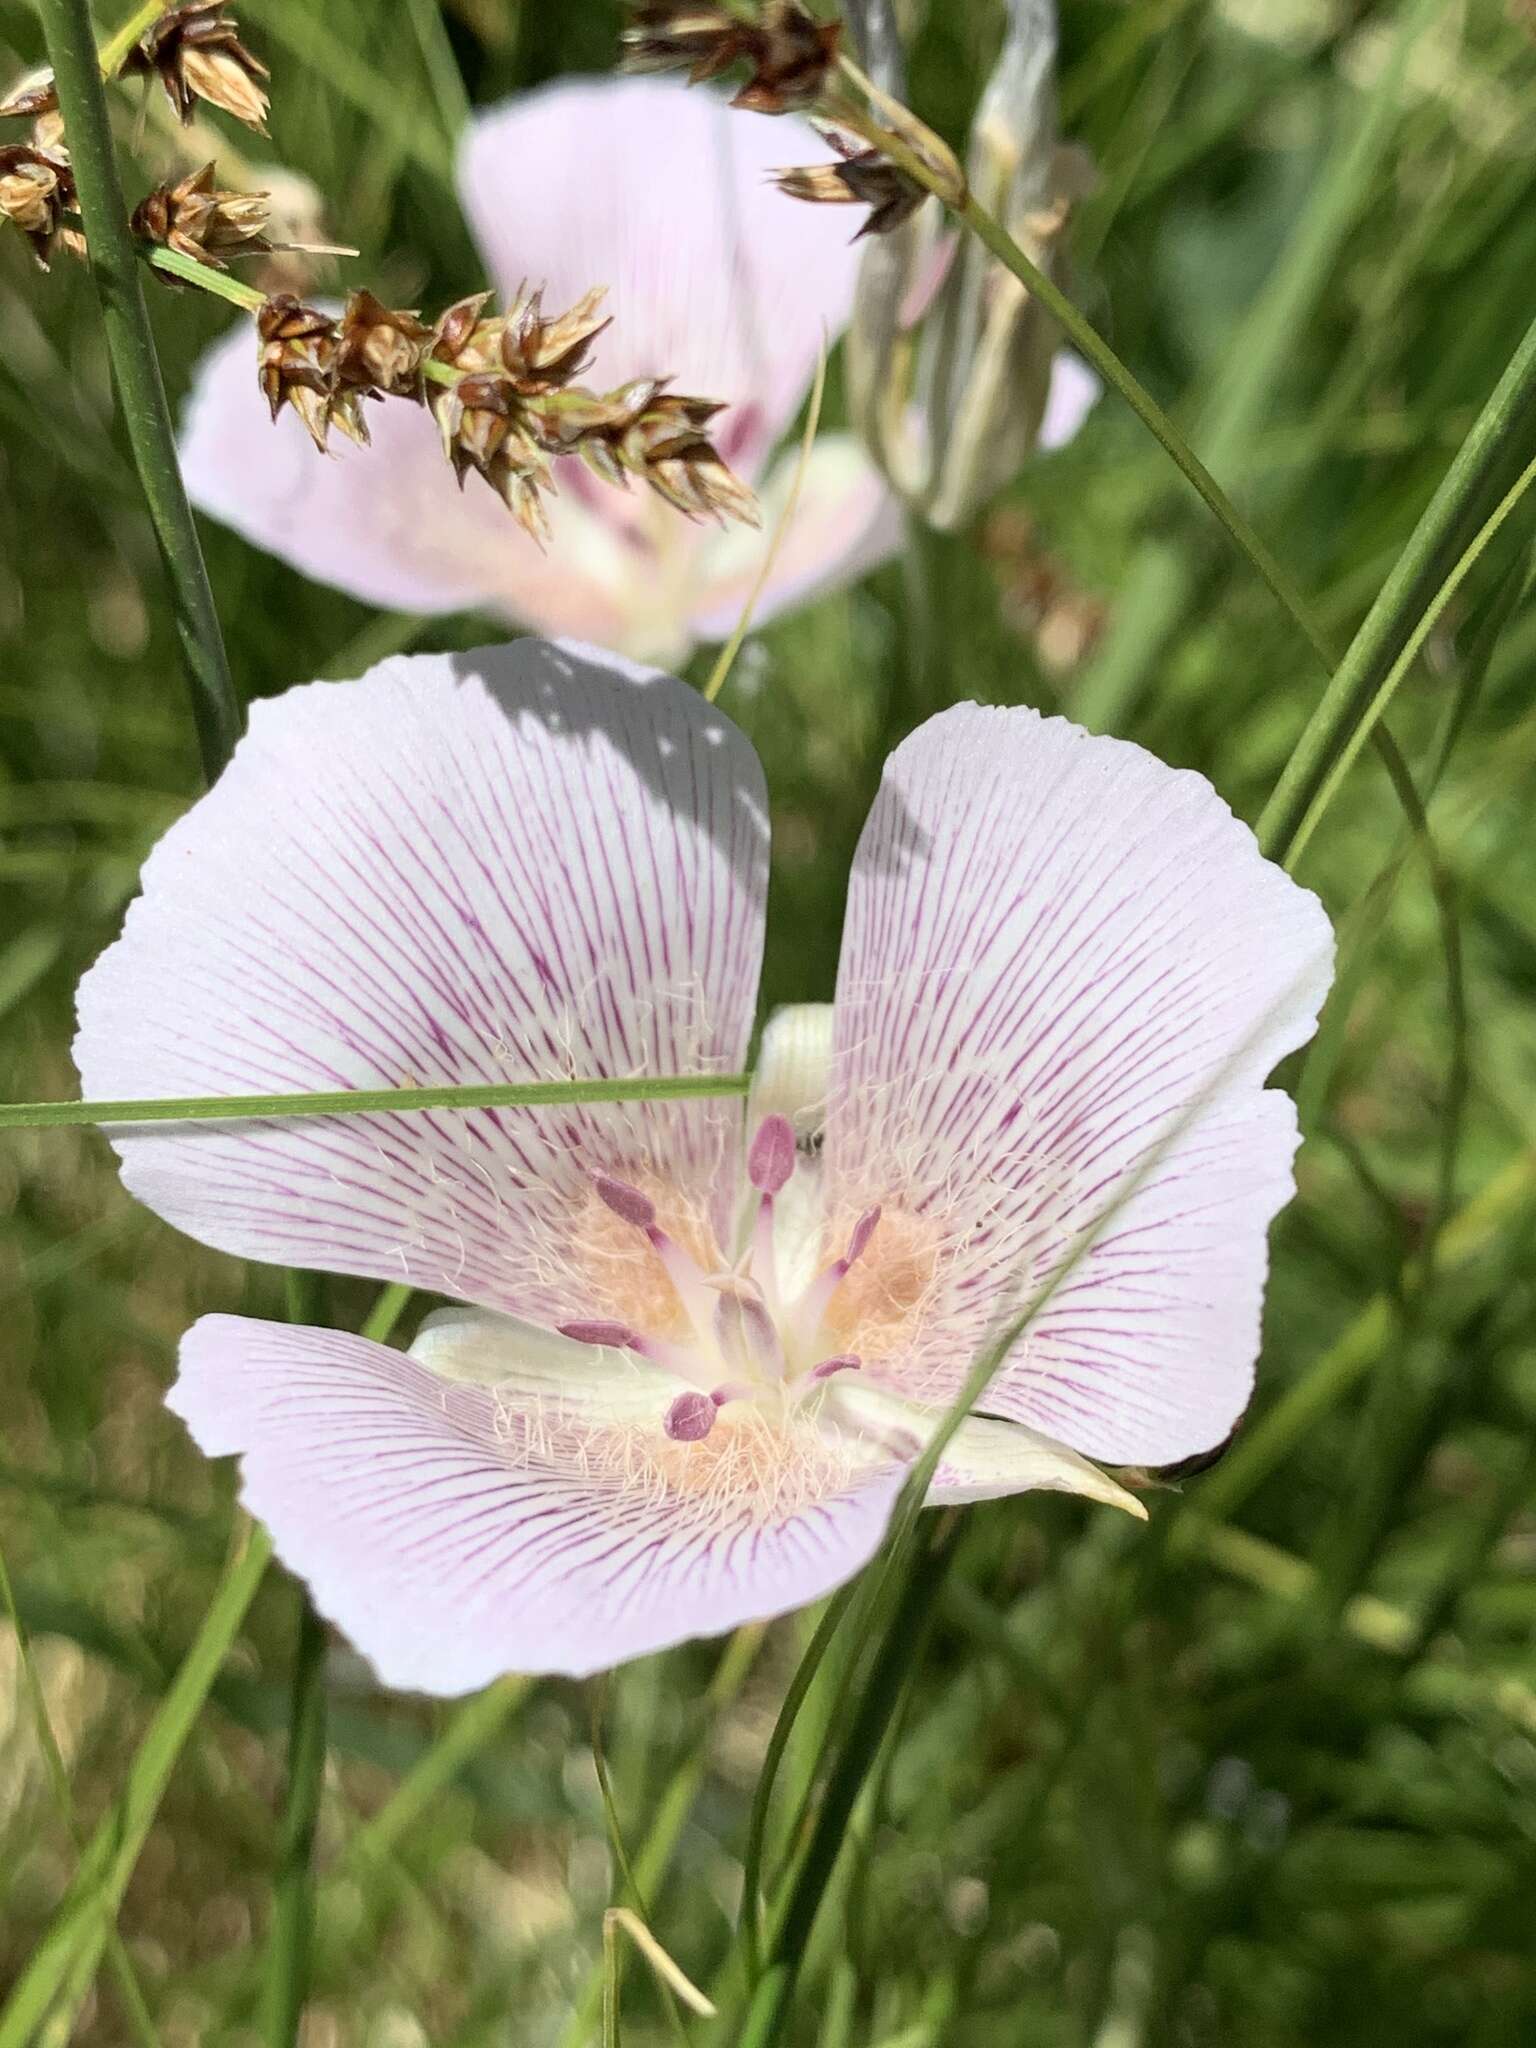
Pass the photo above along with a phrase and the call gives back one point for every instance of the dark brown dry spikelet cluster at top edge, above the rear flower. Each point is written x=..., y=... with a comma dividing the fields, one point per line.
x=792, y=54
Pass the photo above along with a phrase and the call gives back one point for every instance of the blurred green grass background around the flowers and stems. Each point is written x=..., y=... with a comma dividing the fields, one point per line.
x=1263, y=1775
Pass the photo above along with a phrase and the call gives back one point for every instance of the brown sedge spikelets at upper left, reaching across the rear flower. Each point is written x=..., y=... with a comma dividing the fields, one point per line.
x=501, y=384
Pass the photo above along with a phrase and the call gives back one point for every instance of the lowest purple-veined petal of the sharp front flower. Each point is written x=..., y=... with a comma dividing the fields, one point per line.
x=458, y=1533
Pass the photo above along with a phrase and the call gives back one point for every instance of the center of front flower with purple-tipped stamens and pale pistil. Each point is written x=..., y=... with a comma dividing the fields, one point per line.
x=740, y=1332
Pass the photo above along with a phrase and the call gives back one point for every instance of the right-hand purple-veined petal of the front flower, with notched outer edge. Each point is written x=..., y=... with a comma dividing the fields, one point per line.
x=1056, y=951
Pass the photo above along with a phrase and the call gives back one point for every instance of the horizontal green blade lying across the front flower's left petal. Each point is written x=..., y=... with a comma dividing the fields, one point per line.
x=366, y=1101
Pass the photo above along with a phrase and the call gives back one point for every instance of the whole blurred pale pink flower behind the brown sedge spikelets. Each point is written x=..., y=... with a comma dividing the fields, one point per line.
x=714, y=280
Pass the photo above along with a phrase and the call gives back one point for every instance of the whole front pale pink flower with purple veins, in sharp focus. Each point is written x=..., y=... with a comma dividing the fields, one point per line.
x=695, y=1357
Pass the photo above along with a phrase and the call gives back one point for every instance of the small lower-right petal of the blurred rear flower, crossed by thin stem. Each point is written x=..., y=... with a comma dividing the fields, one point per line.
x=845, y=525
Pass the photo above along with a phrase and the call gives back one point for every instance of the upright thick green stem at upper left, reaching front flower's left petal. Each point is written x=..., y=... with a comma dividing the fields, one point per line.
x=136, y=372
